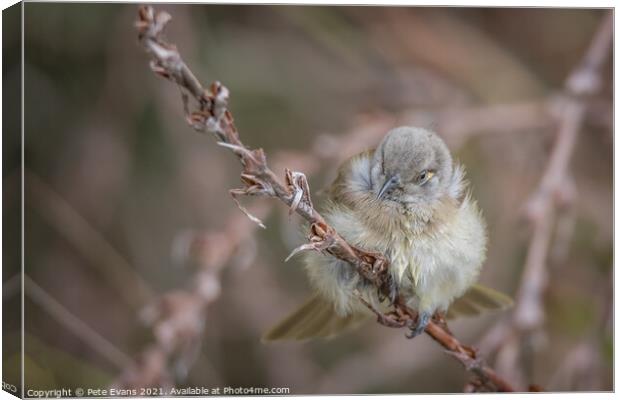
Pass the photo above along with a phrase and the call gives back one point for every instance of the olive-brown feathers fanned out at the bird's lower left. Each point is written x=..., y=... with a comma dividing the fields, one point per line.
x=316, y=318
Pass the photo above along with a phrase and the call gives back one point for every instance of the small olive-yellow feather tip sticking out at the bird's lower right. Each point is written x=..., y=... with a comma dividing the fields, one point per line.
x=477, y=300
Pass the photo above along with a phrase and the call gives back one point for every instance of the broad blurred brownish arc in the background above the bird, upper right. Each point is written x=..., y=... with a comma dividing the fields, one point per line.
x=466, y=56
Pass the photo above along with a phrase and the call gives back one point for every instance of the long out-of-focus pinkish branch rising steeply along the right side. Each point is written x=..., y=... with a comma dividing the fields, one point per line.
x=513, y=339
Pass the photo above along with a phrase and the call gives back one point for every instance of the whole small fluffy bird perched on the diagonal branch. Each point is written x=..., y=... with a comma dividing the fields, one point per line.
x=408, y=200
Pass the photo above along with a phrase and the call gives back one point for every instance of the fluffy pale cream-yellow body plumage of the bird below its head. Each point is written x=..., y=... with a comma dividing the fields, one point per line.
x=435, y=250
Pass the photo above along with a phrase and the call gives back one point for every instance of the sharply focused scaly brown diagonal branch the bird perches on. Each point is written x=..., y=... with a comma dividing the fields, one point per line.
x=212, y=115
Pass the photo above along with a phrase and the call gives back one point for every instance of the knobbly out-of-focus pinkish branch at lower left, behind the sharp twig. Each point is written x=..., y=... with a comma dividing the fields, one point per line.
x=178, y=318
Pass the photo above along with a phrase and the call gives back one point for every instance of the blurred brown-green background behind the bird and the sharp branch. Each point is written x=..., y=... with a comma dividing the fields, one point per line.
x=127, y=207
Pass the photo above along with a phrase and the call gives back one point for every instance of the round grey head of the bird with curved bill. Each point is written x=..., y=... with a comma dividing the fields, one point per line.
x=411, y=166
